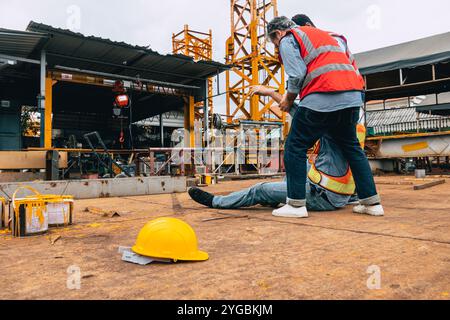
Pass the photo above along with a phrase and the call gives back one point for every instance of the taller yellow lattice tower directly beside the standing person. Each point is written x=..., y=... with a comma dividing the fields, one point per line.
x=254, y=61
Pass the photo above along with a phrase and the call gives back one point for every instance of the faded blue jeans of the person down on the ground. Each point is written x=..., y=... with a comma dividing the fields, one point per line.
x=271, y=194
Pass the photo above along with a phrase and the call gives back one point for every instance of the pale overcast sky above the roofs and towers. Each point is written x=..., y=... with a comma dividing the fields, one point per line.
x=368, y=24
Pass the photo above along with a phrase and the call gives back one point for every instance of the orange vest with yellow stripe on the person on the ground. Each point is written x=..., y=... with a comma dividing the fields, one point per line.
x=344, y=185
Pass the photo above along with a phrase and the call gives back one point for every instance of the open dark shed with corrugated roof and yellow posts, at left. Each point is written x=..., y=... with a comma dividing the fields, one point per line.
x=72, y=81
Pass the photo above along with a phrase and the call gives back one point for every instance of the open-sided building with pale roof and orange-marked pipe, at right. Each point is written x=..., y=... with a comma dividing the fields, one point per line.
x=408, y=102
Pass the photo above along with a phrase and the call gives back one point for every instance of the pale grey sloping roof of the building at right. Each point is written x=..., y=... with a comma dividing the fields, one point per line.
x=410, y=54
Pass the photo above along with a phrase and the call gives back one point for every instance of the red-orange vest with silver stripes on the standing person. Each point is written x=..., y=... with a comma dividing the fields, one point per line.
x=329, y=67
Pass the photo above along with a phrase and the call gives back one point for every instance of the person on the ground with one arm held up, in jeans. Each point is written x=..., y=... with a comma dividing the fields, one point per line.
x=330, y=184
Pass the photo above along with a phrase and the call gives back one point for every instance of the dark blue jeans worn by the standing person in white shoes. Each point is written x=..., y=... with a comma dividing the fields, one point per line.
x=308, y=127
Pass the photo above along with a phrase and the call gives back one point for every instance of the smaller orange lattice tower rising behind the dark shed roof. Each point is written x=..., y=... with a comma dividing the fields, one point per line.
x=197, y=45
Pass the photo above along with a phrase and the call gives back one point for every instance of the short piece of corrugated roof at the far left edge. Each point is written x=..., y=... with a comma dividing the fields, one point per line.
x=19, y=43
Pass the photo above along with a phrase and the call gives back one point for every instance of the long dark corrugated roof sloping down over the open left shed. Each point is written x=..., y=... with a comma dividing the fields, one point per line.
x=70, y=49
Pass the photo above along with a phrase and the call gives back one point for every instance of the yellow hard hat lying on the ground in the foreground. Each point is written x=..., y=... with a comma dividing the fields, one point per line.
x=169, y=238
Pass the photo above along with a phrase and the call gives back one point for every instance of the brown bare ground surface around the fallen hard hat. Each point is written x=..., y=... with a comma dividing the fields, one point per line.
x=327, y=256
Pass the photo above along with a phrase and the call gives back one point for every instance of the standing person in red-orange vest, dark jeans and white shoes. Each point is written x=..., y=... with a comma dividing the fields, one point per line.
x=323, y=72
